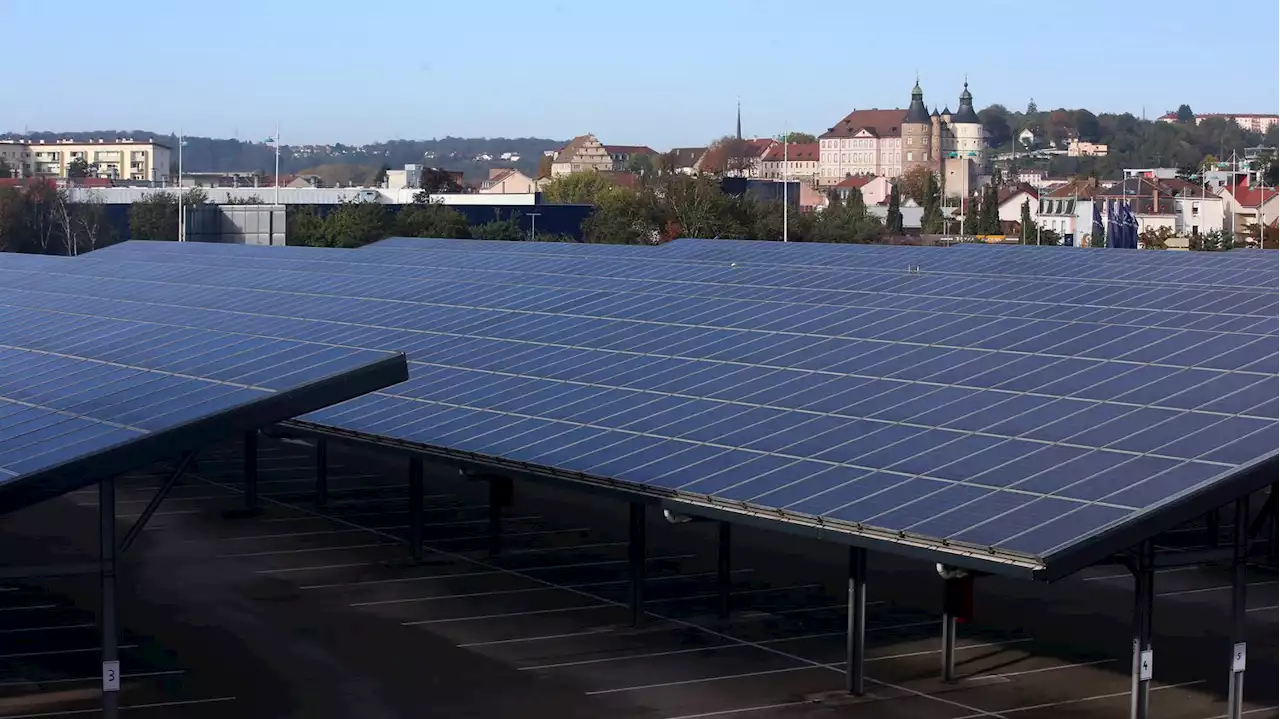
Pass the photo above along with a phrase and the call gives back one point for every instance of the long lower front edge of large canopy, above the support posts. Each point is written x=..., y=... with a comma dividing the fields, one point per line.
x=971, y=557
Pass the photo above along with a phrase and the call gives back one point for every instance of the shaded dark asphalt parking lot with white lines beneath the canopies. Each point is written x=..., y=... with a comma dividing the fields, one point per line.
x=547, y=621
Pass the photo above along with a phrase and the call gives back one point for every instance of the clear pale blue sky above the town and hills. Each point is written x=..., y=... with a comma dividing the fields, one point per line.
x=661, y=72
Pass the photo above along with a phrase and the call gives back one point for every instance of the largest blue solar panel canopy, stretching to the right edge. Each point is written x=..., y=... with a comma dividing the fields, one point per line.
x=1026, y=413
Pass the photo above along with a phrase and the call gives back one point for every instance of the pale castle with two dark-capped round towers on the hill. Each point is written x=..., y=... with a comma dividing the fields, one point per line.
x=890, y=143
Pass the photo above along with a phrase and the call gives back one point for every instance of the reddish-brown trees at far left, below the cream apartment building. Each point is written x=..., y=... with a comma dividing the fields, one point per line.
x=40, y=219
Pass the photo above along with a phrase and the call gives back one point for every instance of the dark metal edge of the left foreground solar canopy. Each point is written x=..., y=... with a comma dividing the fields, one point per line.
x=135, y=454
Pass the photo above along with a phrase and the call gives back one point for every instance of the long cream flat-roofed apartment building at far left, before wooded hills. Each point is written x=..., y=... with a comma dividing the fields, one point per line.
x=126, y=159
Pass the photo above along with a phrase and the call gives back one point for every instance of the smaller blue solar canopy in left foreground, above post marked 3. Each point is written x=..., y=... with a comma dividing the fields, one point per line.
x=85, y=395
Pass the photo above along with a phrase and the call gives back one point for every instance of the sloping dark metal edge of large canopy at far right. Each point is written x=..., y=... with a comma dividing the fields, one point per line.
x=1178, y=510
